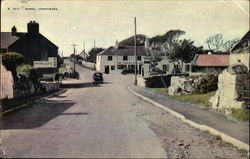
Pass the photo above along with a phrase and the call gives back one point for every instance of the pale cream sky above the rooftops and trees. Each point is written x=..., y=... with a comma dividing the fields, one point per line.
x=82, y=21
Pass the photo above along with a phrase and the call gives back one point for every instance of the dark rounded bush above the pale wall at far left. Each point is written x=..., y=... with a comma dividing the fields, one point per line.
x=11, y=60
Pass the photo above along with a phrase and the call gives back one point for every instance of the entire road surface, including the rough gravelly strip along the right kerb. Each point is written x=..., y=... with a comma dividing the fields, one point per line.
x=103, y=120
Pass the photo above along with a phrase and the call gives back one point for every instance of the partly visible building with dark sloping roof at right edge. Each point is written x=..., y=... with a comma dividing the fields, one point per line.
x=240, y=53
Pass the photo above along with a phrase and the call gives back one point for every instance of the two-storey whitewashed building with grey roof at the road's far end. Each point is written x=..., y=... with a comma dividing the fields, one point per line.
x=114, y=59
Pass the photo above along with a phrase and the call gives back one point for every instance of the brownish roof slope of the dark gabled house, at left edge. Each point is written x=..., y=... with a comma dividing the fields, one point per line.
x=7, y=39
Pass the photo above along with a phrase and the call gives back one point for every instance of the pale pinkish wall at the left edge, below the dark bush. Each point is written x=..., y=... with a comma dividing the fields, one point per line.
x=6, y=83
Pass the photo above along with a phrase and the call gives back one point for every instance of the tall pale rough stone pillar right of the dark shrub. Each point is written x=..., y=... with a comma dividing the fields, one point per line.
x=226, y=96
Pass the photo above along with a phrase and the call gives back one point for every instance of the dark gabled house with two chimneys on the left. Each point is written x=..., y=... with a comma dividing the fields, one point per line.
x=32, y=45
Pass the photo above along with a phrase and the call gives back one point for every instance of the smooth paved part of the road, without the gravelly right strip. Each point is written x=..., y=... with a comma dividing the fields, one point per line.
x=90, y=121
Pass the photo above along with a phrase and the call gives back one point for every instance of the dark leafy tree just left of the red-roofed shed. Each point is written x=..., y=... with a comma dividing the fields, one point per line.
x=185, y=51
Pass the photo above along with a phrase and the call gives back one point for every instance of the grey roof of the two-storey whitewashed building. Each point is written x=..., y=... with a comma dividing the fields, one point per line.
x=124, y=51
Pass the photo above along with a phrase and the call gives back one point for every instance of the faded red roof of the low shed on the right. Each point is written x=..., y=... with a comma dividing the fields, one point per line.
x=212, y=60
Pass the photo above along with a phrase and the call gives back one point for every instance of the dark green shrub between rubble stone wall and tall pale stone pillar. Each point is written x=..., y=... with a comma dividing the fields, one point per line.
x=207, y=84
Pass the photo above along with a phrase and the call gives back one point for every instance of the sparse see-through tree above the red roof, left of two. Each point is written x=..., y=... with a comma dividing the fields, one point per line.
x=215, y=42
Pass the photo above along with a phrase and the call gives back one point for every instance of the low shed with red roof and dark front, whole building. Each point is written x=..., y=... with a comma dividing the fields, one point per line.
x=209, y=63
